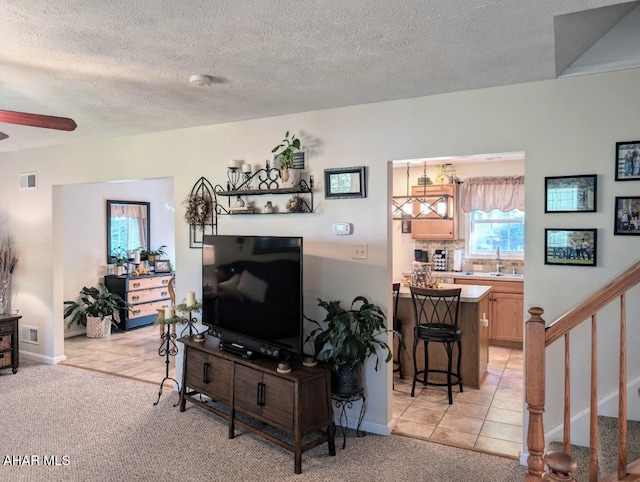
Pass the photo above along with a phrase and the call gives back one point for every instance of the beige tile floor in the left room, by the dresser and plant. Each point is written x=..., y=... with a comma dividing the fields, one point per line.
x=132, y=354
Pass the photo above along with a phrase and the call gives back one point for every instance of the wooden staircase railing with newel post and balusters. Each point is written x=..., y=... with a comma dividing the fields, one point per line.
x=537, y=339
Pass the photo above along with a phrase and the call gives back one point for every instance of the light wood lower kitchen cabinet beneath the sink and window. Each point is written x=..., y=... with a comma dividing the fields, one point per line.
x=506, y=310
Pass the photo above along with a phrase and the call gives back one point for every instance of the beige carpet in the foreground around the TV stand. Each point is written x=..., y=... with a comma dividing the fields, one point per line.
x=106, y=428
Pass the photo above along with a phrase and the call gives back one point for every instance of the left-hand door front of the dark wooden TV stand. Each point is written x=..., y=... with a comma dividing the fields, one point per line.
x=209, y=375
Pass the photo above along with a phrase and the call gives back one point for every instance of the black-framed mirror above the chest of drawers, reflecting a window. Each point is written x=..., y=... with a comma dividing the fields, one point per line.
x=127, y=228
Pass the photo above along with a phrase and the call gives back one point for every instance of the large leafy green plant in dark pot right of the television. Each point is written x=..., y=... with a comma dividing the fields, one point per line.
x=346, y=338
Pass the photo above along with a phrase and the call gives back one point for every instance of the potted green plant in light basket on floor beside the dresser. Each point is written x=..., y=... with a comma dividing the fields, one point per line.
x=97, y=309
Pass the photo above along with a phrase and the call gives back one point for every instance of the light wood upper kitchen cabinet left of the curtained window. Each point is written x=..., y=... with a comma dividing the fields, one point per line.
x=432, y=225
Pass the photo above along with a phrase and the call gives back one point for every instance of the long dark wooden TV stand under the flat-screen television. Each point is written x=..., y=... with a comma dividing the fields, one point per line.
x=296, y=403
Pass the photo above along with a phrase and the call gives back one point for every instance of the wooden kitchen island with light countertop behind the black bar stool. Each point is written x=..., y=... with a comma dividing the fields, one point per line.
x=474, y=308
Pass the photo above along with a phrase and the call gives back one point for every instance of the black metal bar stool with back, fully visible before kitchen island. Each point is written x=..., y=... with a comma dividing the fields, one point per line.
x=436, y=320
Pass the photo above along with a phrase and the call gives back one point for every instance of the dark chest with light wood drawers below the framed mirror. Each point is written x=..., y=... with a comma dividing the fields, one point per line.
x=147, y=294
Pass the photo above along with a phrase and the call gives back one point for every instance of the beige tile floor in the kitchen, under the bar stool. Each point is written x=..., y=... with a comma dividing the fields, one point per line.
x=488, y=419
